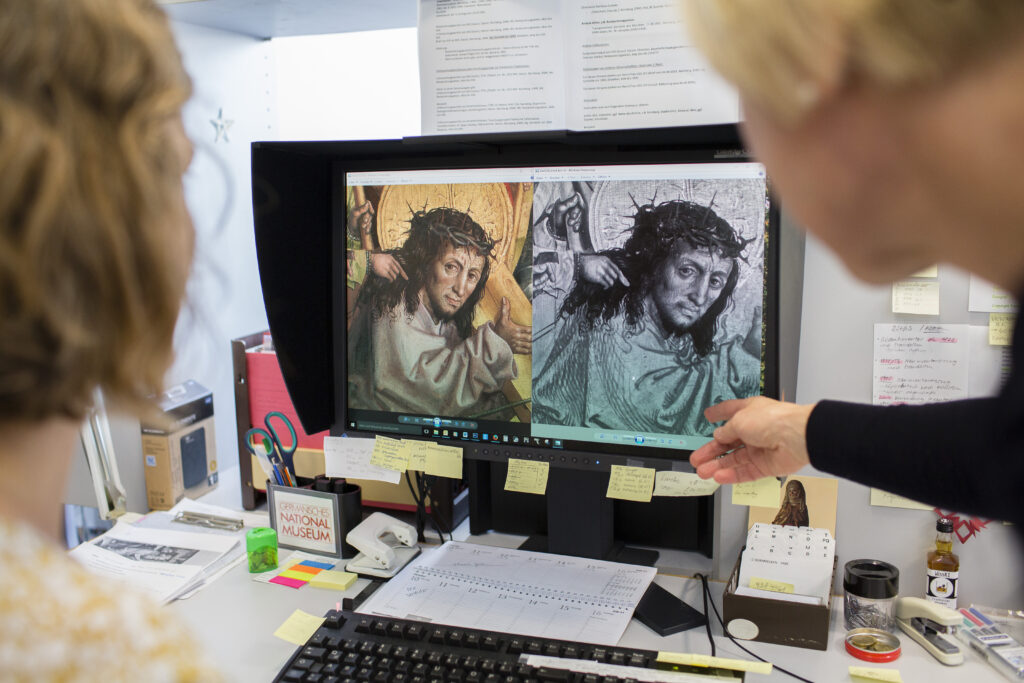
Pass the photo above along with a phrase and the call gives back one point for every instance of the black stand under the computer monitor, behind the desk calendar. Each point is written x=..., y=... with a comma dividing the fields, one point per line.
x=581, y=521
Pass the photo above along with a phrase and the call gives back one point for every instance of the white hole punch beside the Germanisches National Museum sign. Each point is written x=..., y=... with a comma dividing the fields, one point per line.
x=378, y=556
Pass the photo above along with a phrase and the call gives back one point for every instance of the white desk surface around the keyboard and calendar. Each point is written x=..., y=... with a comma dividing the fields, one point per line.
x=236, y=619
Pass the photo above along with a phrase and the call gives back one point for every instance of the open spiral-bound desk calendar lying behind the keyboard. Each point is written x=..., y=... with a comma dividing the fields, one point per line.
x=516, y=591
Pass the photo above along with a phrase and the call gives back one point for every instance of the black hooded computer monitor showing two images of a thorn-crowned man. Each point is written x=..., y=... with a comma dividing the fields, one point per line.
x=577, y=300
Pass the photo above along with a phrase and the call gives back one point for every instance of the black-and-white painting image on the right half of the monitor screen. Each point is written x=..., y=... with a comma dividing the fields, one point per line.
x=648, y=302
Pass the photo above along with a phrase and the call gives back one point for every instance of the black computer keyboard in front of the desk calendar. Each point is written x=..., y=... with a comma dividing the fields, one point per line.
x=351, y=647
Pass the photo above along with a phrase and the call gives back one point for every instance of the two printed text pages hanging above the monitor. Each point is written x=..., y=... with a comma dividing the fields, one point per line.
x=490, y=66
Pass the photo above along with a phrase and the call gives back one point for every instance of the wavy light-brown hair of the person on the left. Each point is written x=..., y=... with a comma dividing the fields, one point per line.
x=91, y=204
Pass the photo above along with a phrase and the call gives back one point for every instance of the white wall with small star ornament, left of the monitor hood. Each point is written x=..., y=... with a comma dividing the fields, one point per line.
x=233, y=75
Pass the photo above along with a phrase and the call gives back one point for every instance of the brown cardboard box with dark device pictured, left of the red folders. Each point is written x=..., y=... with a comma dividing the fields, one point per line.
x=181, y=459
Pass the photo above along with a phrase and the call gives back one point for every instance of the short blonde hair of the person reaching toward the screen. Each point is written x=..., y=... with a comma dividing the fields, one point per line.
x=789, y=56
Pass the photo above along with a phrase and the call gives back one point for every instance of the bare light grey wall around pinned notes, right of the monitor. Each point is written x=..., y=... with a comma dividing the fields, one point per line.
x=836, y=357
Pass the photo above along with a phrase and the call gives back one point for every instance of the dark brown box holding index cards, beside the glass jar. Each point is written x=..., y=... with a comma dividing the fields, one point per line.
x=780, y=622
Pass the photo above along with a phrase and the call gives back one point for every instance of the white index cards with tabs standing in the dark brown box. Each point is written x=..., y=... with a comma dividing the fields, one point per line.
x=788, y=564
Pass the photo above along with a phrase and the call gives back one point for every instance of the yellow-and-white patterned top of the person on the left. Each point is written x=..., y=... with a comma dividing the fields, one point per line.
x=60, y=623
